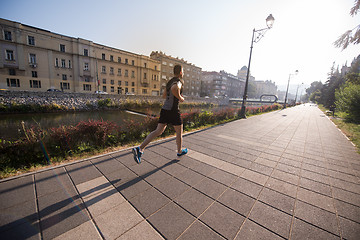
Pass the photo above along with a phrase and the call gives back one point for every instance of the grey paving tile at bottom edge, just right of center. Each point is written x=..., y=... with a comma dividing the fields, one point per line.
x=223, y=220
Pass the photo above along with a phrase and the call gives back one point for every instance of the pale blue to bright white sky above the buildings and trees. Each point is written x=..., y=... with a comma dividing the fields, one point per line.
x=214, y=35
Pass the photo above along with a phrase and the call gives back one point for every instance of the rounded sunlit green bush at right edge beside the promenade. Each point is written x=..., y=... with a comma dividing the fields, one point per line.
x=348, y=101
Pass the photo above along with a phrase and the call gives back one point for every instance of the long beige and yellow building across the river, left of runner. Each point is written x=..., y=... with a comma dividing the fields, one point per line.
x=34, y=59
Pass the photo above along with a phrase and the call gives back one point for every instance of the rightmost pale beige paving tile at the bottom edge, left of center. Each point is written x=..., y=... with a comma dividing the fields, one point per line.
x=112, y=224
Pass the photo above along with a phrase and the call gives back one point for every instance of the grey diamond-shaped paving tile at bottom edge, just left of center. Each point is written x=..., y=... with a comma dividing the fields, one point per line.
x=171, y=221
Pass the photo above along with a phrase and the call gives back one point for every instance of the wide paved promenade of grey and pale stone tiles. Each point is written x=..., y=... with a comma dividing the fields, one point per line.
x=289, y=174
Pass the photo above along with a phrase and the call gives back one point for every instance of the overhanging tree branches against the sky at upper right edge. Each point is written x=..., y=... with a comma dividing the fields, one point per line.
x=350, y=36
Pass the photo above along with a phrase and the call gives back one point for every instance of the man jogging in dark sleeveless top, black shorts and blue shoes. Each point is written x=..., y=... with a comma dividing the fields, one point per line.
x=170, y=113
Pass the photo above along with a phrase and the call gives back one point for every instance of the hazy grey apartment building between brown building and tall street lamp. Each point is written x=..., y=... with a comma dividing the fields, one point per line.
x=221, y=84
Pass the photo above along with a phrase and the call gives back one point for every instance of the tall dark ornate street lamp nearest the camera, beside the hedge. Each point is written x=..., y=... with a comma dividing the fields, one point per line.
x=261, y=32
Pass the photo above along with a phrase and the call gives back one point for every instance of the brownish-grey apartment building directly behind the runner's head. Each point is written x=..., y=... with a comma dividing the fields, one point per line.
x=192, y=73
